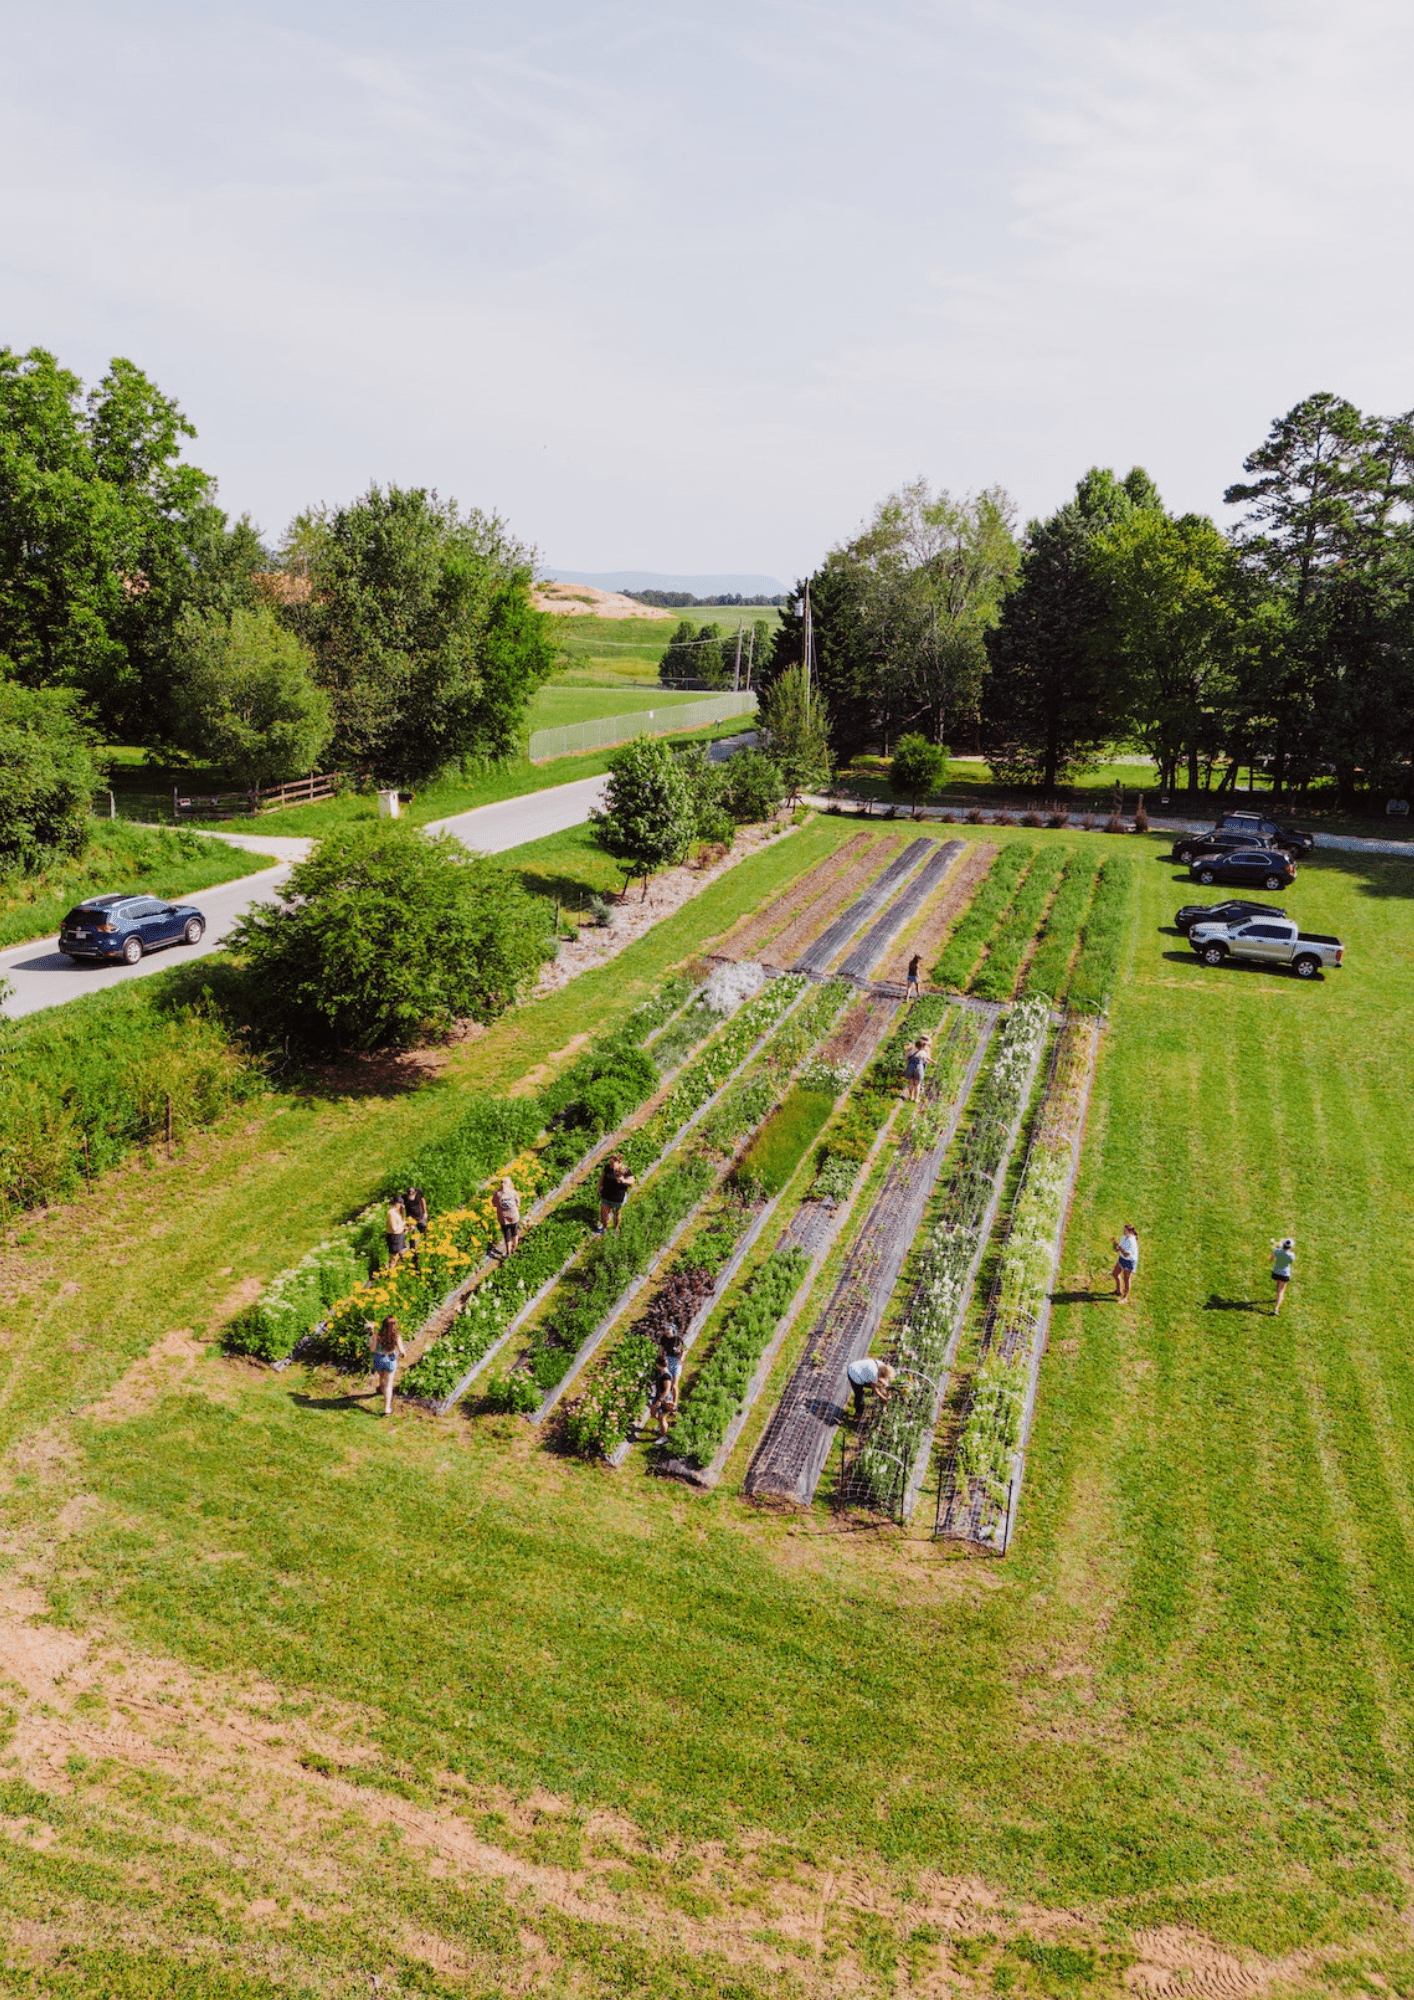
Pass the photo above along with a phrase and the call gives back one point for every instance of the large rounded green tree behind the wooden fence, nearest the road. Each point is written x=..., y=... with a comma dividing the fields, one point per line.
x=421, y=627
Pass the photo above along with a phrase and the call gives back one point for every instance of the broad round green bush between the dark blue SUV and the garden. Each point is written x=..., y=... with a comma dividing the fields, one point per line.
x=387, y=935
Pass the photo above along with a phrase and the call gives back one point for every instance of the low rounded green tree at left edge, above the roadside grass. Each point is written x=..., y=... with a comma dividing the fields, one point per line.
x=47, y=777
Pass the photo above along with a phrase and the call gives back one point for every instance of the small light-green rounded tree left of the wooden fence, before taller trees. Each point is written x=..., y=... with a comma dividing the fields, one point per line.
x=245, y=697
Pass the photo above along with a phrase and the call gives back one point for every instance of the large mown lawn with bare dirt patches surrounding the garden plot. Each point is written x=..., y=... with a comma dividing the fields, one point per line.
x=695, y=1749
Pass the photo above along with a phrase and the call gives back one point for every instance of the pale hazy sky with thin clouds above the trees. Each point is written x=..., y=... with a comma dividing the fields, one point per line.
x=691, y=287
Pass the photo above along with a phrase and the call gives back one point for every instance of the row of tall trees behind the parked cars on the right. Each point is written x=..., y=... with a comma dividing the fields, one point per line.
x=1283, y=645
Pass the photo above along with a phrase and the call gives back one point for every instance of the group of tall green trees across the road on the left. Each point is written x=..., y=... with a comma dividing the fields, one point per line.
x=391, y=635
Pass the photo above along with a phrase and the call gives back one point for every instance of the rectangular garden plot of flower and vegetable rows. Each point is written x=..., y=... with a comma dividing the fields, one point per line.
x=763, y=1123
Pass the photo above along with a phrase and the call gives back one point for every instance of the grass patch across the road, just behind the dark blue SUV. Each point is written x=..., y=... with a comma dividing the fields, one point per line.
x=119, y=857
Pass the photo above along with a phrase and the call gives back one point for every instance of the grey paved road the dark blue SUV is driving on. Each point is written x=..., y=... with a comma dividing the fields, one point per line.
x=43, y=977
